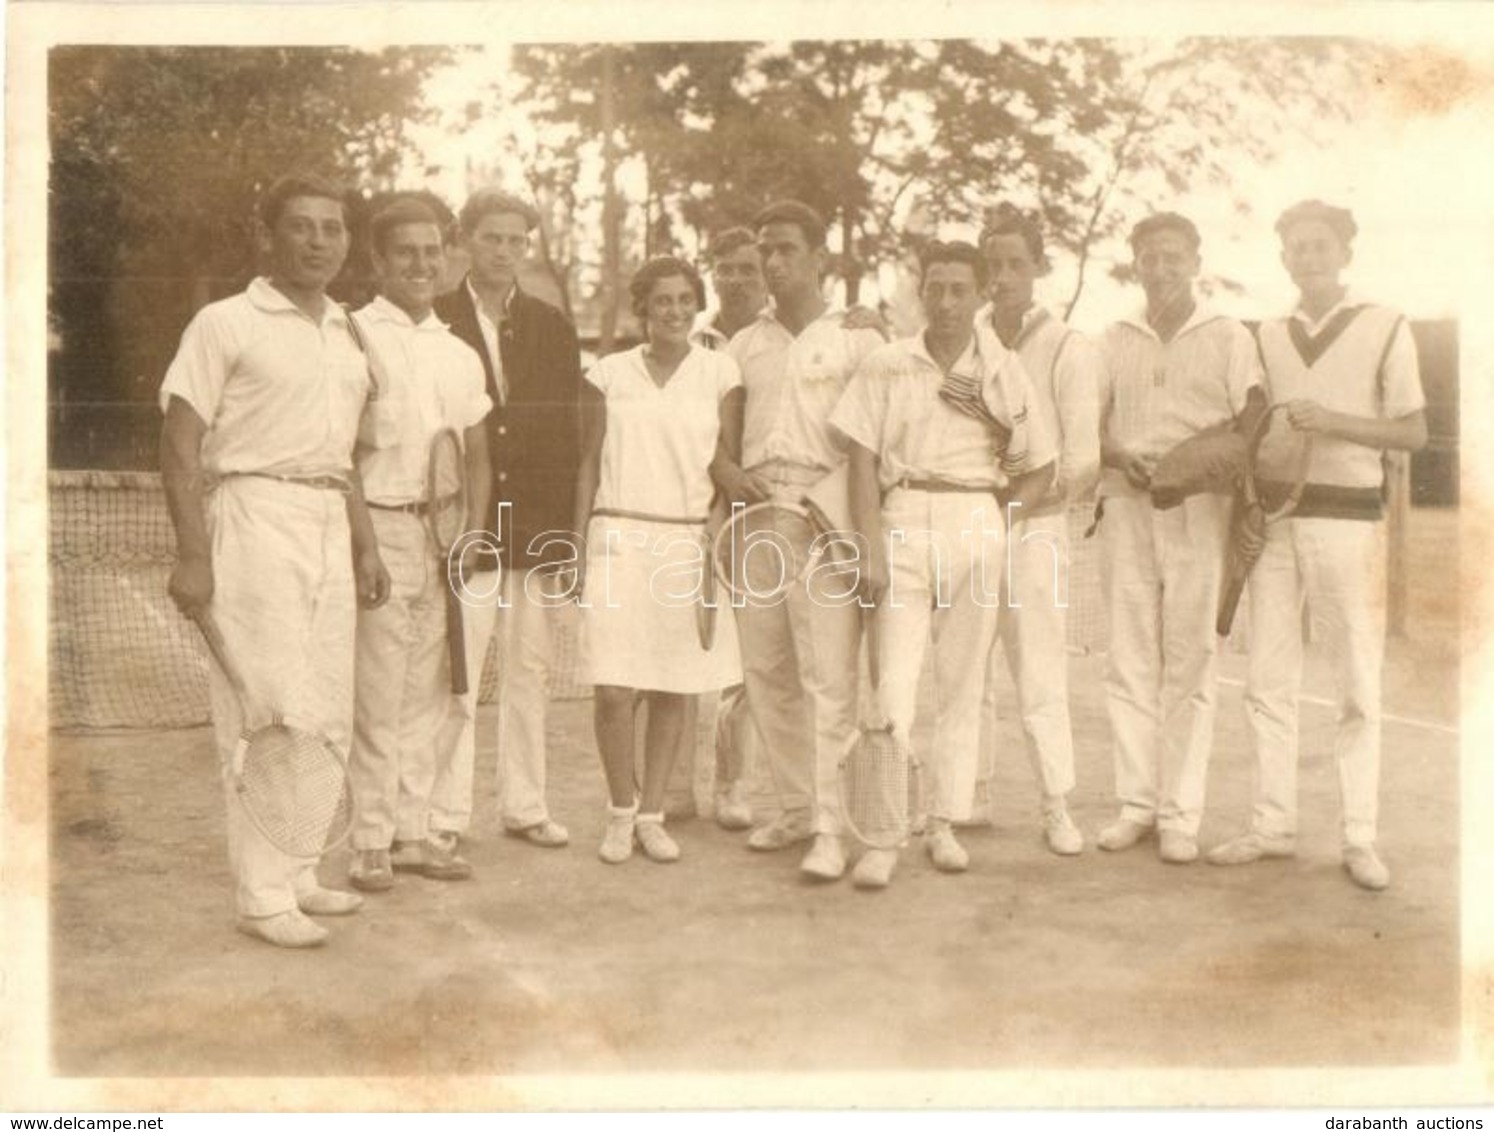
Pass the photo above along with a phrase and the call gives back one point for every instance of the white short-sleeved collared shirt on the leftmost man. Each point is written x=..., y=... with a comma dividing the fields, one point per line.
x=279, y=391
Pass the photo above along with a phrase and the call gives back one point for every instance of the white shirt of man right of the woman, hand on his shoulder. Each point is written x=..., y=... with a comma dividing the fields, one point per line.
x=794, y=385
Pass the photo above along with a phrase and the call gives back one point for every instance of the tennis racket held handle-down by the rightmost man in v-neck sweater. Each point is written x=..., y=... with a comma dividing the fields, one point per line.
x=1272, y=488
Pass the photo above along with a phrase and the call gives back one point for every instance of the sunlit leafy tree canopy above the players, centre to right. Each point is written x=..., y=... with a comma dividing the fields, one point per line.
x=1087, y=134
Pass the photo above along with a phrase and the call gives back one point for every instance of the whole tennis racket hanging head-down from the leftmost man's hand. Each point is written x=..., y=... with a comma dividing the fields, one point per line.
x=294, y=783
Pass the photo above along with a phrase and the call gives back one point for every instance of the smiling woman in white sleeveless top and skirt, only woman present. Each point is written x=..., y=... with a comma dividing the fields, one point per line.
x=652, y=425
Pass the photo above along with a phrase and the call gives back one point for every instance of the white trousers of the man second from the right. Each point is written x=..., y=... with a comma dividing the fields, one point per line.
x=1162, y=580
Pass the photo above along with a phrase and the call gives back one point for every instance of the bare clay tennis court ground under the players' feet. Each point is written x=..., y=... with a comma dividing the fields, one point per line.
x=554, y=962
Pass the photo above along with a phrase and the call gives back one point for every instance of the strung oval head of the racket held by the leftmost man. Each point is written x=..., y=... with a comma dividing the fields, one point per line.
x=297, y=791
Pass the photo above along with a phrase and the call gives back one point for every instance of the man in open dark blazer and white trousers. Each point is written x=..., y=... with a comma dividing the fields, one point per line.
x=534, y=376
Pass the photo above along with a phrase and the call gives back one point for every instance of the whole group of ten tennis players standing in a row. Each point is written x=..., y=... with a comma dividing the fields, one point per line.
x=297, y=449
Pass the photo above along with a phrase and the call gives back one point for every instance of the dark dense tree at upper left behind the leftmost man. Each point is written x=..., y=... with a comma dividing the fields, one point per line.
x=159, y=156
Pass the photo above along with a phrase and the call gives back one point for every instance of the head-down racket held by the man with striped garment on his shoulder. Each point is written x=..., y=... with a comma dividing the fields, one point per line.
x=881, y=777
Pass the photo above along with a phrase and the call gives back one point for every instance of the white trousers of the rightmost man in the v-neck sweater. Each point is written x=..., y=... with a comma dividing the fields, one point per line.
x=1338, y=568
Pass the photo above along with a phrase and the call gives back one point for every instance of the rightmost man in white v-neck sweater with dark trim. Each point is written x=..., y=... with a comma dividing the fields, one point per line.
x=1347, y=371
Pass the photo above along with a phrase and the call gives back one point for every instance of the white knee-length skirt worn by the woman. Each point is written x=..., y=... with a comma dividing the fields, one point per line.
x=640, y=607
